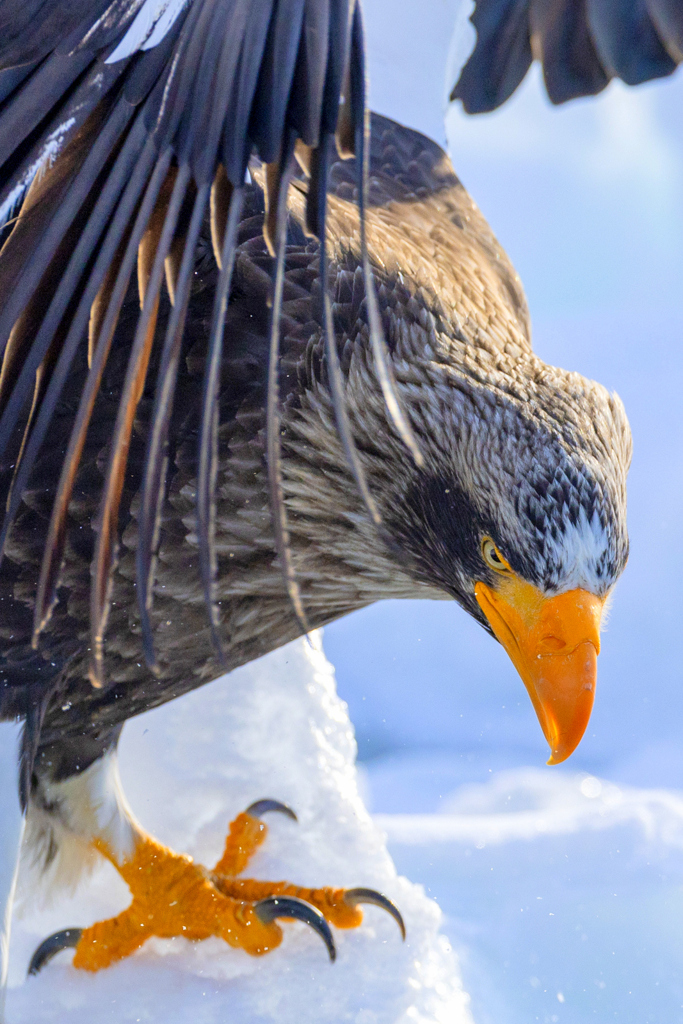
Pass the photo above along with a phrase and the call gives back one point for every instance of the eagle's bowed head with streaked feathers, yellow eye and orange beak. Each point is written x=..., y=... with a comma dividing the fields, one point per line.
x=520, y=514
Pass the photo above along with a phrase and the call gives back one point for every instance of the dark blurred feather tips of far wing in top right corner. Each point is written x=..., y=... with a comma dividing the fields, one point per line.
x=581, y=45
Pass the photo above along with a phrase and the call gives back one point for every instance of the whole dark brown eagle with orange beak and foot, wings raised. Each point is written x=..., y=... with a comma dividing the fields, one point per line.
x=264, y=363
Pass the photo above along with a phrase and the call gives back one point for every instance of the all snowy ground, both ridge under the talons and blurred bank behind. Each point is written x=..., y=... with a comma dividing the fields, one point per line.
x=562, y=894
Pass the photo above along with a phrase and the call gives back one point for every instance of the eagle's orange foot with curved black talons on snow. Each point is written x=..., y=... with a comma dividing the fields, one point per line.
x=174, y=897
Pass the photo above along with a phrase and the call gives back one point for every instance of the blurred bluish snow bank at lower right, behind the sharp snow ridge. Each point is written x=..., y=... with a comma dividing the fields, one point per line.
x=563, y=893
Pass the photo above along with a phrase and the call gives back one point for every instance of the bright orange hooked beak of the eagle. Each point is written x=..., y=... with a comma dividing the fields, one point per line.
x=553, y=644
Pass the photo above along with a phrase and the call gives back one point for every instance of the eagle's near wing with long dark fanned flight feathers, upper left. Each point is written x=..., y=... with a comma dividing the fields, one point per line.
x=122, y=123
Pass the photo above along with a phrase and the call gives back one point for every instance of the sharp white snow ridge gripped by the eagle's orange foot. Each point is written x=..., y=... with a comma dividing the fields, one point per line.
x=274, y=729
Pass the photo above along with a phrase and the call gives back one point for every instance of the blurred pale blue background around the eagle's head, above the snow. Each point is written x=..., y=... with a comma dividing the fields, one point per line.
x=588, y=201
